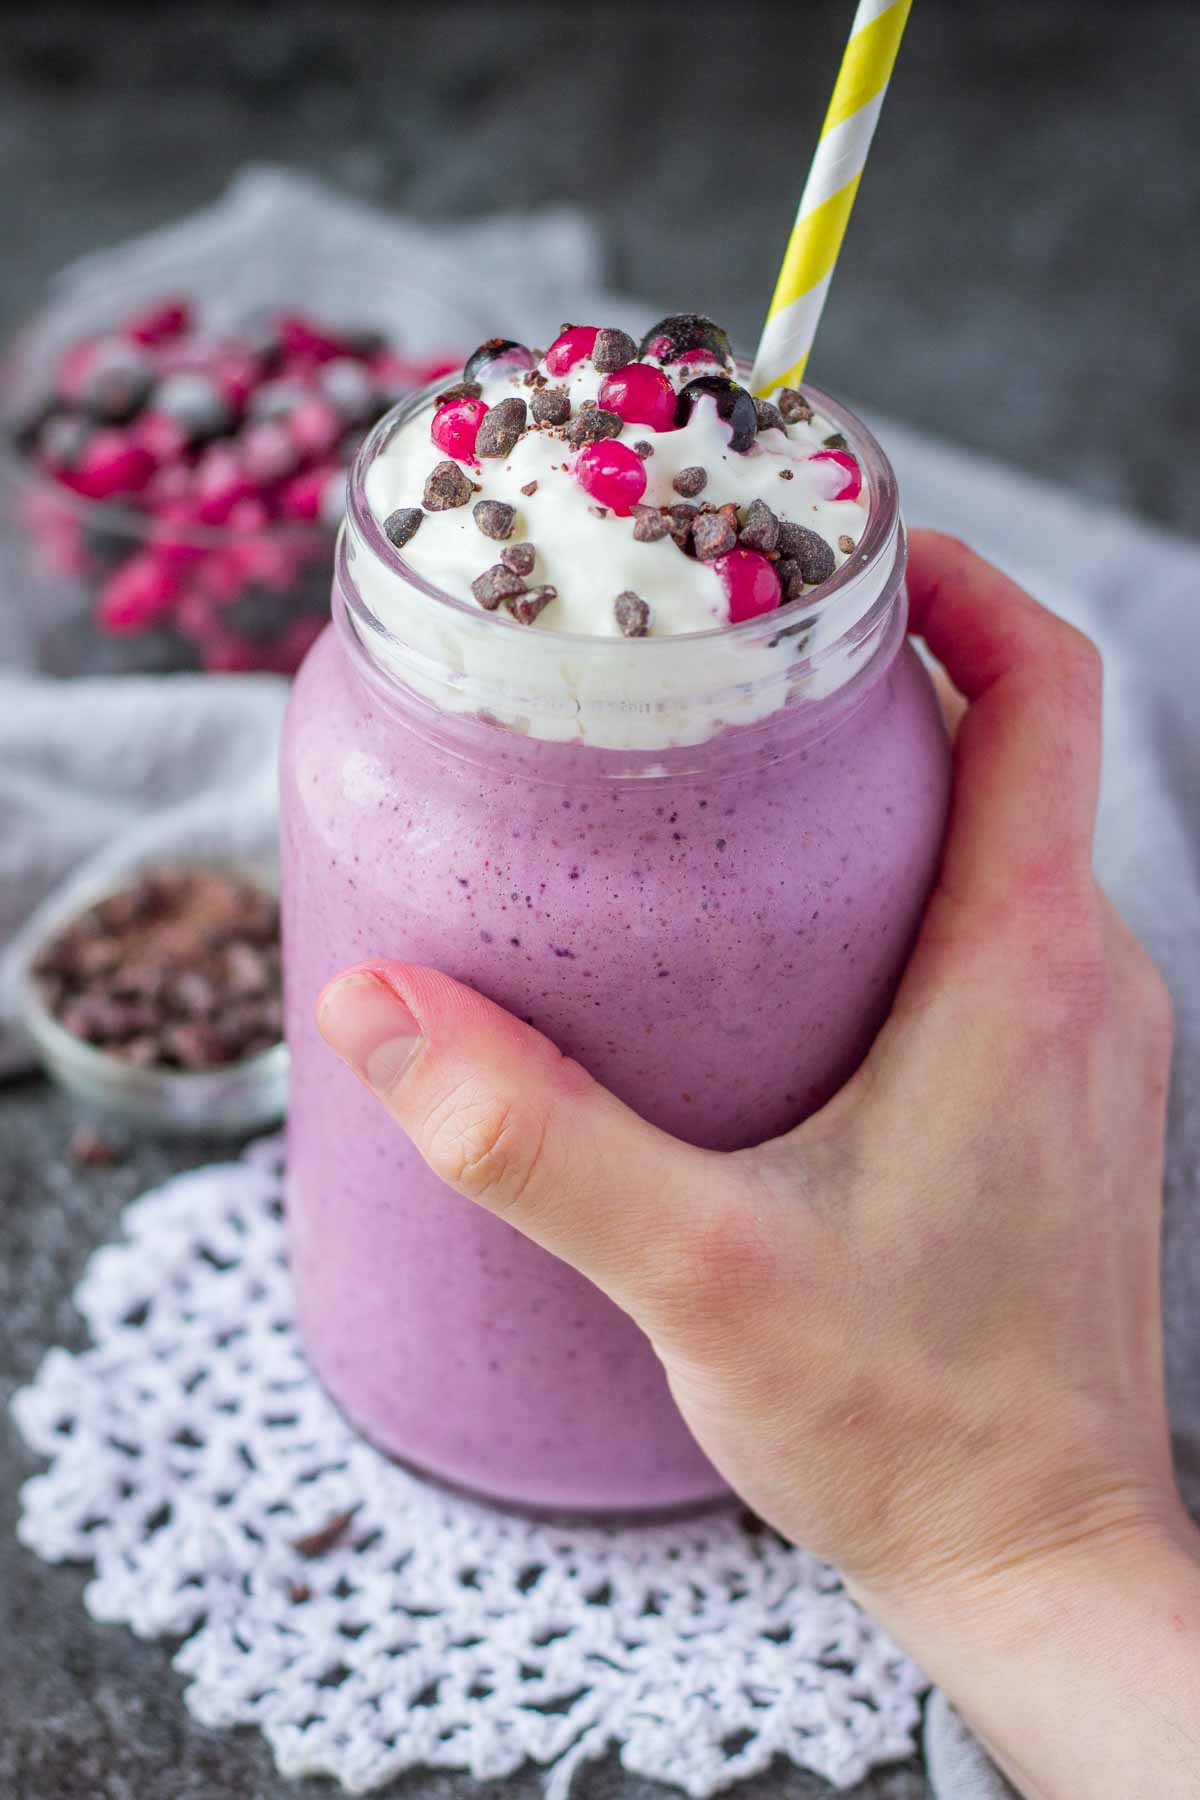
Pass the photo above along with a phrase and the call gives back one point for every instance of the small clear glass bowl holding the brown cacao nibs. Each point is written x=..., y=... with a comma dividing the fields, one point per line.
x=231, y=1102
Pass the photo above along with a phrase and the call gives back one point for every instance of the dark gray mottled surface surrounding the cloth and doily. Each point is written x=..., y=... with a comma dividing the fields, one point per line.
x=1021, y=274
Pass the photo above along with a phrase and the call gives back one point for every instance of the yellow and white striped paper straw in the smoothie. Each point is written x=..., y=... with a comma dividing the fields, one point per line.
x=830, y=193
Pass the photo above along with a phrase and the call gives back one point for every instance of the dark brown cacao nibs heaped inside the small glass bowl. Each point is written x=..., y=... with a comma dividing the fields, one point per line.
x=179, y=971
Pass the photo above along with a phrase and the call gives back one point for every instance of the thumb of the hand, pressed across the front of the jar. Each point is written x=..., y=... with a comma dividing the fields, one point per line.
x=510, y=1122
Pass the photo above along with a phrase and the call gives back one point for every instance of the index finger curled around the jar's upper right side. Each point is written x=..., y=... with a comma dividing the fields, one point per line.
x=1028, y=750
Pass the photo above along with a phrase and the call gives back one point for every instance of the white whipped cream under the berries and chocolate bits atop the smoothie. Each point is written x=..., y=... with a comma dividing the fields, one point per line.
x=589, y=553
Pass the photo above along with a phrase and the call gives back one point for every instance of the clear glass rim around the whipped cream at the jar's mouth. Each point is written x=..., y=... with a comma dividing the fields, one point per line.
x=879, y=535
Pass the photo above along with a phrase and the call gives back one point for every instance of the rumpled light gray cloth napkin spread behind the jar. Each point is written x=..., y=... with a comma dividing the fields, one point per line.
x=96, y=775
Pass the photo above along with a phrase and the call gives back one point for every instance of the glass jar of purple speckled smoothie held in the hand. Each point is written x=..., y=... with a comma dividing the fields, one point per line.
x=697, y=863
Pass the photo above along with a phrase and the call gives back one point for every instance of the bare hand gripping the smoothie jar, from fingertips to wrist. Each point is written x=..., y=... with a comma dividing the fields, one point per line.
x=922, y=1331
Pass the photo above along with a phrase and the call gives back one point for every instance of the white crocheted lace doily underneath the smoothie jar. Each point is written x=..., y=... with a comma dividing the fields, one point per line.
x=370, y=1623
